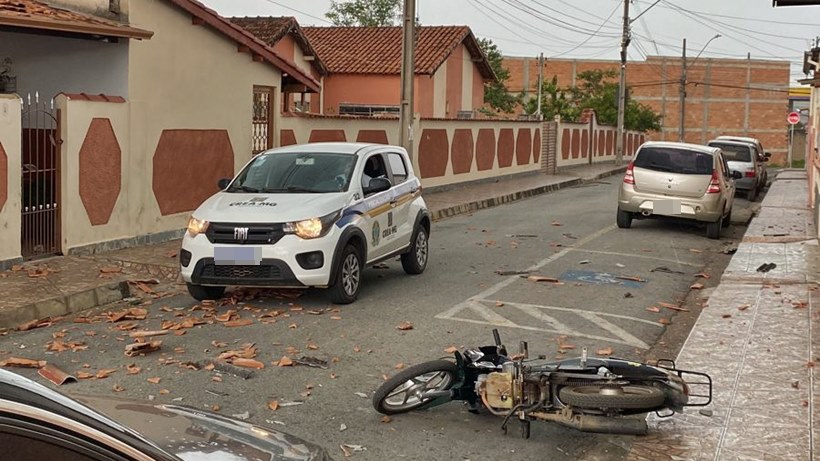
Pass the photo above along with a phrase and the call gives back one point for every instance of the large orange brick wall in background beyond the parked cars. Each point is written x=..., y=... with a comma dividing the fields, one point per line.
x=724, y=96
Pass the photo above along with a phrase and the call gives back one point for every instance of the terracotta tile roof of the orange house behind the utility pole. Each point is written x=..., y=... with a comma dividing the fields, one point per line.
x=377, y=50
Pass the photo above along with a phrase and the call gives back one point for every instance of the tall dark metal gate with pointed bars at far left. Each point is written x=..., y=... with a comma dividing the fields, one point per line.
x=40, y=235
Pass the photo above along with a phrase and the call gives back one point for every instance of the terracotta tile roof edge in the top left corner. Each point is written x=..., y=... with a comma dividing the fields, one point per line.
x=34, y=14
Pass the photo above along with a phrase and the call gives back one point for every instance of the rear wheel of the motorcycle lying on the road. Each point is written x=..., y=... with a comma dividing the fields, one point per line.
x=626, y=397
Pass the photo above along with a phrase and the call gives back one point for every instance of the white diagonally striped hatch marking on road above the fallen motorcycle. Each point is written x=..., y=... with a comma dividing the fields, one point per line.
x=490, y=316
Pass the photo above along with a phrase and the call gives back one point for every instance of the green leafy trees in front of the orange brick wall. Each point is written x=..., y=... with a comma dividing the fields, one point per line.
x=598, y=90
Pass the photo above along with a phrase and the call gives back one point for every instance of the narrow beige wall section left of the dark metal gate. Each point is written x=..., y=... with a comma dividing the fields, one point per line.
x=10, y=138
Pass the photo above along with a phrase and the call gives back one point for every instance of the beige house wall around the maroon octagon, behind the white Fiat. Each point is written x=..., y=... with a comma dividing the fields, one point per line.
x=185, y=77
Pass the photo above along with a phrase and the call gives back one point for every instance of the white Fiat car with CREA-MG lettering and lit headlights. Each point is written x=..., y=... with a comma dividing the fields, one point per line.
x=311, y=215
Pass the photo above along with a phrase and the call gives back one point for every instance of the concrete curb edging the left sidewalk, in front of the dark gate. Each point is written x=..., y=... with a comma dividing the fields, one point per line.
x=67, y=304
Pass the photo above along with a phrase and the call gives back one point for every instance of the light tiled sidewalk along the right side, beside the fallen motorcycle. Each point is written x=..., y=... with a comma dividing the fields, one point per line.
x=759, y=339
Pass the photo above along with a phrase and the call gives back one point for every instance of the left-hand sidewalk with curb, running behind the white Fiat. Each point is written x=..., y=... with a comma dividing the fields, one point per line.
x=69, y=284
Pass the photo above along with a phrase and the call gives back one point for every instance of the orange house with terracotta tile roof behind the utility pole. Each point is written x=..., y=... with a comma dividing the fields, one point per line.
x=364, y=70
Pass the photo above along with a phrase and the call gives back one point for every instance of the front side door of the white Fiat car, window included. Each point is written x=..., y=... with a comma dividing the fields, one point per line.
x=377, y=207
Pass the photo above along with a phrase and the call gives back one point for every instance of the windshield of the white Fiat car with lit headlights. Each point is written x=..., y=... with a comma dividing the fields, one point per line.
x=296, y=172
